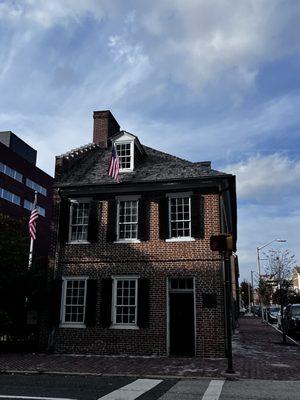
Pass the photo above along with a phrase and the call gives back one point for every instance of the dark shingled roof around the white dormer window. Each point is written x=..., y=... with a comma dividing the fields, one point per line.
x=156, y=166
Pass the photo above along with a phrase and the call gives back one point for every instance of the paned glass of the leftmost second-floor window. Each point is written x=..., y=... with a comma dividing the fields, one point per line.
x=79, y=221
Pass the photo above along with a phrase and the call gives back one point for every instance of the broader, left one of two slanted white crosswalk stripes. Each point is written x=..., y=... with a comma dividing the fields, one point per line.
x=133, y=390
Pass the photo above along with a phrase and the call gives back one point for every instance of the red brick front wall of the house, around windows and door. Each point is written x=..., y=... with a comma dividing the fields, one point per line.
x=156, y=260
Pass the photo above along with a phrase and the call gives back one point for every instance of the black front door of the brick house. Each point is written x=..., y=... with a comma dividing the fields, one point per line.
x=182, y=340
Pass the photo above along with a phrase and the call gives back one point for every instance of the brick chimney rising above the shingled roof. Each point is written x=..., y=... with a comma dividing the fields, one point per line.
x=105, y=126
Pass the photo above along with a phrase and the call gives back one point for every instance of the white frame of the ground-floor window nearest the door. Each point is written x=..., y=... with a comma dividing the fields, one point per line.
x=115, y=279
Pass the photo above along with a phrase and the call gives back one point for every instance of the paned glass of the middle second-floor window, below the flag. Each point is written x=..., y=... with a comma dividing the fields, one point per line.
x=128, y=219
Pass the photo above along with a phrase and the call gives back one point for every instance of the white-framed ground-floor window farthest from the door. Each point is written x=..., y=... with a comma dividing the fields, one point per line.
x=73, y=301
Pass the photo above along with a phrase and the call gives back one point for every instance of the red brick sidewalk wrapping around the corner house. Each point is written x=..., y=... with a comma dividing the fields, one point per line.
x=258, y=354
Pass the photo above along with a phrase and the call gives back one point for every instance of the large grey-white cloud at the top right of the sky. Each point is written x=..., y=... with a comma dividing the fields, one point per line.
x=206, y=41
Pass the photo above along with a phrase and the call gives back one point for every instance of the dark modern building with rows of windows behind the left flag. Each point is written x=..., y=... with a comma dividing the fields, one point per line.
x=19, y=178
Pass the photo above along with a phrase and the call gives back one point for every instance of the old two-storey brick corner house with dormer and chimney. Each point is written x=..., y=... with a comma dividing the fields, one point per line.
x=134, y=273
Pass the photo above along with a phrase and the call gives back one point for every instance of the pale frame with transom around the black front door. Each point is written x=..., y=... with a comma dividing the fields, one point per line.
x=168, y=291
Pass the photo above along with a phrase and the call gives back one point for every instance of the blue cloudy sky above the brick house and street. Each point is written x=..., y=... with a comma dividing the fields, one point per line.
x=204, y=80
